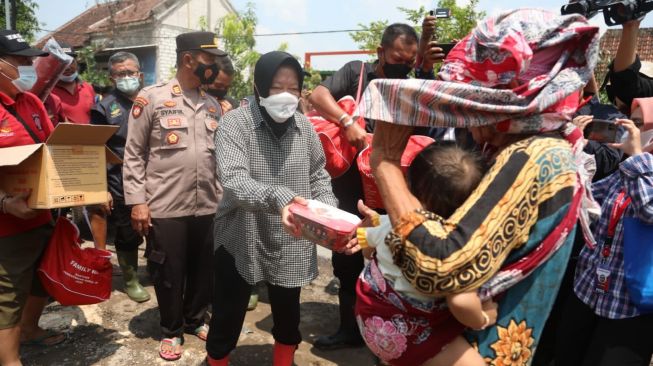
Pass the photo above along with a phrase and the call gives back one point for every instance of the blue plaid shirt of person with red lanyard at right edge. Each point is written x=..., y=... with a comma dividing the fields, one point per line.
x=635, y=176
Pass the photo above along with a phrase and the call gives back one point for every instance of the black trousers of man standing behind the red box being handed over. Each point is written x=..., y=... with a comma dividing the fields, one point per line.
x=348, y=189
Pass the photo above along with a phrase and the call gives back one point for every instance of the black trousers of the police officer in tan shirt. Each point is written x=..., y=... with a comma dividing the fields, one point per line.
x=179, y=252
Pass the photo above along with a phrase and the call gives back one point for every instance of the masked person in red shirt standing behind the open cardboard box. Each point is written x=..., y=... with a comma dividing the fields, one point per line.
x=77, y=97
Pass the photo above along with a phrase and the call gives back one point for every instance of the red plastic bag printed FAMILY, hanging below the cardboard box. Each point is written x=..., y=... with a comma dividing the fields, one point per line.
x=72, y=275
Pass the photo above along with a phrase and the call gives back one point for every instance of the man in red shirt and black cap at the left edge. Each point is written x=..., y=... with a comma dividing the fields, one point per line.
x=24, y=232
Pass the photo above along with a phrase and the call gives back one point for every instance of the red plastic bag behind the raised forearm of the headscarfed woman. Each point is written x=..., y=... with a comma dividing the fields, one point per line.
x=371, y=194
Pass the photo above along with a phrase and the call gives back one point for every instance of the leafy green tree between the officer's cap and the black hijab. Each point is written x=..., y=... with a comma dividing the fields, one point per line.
x=236, y=33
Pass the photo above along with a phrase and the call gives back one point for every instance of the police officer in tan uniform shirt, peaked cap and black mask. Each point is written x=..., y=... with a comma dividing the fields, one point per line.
x=169, y=179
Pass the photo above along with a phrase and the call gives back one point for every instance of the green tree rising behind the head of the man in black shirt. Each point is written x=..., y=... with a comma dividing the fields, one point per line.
x=463, y=19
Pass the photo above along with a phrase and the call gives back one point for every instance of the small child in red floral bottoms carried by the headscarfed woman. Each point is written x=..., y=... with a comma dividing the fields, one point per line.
x=399, y=324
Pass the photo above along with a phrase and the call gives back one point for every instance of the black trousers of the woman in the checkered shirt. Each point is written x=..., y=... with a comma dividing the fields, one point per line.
x=231, y=295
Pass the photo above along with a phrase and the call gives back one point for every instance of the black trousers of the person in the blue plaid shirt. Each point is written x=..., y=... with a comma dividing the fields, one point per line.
x=586, y=339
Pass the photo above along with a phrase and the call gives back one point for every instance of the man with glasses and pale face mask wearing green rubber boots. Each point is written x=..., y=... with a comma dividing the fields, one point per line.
x=113, y=110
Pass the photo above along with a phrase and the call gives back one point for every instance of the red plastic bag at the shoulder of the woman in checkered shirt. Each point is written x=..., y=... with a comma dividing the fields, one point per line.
x=339, y=153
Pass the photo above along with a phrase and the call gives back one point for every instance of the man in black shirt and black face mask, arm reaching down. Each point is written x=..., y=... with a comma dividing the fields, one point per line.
x=400, y=52
